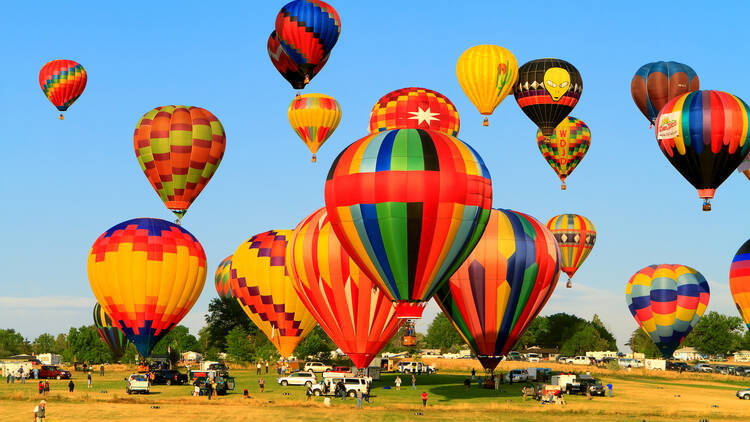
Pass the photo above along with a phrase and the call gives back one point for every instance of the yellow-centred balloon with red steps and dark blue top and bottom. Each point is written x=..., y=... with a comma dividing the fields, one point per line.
x=147, y=274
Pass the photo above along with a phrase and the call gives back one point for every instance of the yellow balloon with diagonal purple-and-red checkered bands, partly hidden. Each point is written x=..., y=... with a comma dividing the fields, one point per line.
x=262, y=286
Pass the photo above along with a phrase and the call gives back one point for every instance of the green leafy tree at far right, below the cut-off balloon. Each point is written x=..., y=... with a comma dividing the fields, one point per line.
x=716, y=334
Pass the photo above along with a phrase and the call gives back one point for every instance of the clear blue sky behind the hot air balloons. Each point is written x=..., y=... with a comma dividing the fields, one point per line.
x=66, y=182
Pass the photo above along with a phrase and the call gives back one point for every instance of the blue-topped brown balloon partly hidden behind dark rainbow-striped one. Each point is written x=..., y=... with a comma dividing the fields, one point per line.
x=654, y=84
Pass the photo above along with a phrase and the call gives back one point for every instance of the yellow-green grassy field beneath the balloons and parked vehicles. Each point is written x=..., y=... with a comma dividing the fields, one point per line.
x=659, y=396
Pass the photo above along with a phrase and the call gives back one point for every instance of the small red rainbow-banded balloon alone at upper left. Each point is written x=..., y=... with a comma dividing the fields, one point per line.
x=62, y=81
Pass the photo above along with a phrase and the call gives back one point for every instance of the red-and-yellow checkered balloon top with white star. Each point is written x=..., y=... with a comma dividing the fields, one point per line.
x=415, y=108
